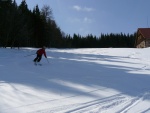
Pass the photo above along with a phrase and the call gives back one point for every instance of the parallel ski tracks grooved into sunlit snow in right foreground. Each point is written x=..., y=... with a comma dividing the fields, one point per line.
x=98, y=106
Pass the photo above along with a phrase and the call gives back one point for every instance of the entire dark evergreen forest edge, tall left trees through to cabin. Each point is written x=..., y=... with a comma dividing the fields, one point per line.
x=21, y=27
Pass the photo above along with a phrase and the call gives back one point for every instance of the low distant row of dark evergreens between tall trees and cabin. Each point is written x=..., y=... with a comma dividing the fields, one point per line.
x=104, y=41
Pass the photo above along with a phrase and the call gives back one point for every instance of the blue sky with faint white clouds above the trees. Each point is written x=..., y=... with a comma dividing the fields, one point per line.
x=97, y=16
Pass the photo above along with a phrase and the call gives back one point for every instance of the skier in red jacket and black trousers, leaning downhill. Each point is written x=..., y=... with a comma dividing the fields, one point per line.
x=39, y=53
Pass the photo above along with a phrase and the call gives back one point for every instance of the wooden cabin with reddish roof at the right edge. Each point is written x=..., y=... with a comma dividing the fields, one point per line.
x=142, y=38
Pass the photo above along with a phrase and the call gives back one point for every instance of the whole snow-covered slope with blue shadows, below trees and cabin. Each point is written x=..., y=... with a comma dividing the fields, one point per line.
x=100, y=80
